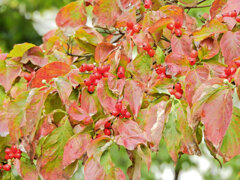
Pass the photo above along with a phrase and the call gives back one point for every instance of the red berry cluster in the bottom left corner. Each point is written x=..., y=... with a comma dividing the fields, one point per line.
x=11, y=153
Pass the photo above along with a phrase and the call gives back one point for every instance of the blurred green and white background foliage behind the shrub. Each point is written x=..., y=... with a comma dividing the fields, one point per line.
x=16, y=26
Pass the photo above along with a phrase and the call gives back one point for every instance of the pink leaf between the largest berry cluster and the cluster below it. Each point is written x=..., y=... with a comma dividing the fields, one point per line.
x=105, y=97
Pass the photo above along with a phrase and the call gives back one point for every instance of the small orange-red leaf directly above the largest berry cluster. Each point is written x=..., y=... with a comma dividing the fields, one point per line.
x=102, y=51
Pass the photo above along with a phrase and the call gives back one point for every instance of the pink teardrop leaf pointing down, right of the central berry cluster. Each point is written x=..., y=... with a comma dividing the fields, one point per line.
x=133, y=94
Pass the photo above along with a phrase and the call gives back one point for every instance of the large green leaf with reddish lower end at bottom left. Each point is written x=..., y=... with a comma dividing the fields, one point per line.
x=50, y=161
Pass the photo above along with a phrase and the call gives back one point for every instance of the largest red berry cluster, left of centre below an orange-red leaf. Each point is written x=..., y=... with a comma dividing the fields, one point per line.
x=98, y=73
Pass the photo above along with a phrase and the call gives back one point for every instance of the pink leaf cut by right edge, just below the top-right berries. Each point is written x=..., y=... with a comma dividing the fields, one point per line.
x=230, y=44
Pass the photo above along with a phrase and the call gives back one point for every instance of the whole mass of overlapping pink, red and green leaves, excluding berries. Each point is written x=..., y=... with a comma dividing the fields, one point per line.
x=55, y=120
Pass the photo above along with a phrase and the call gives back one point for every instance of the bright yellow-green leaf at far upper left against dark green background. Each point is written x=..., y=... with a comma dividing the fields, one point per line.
x=19, y=49
